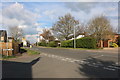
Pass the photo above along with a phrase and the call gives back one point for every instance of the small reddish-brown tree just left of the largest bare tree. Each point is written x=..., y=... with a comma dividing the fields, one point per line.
x=47, y=35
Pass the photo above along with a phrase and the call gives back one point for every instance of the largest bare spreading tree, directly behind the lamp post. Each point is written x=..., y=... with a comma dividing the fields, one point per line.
x=64, y=27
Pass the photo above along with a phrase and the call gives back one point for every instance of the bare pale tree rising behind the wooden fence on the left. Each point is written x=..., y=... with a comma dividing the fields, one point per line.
x=16, y=33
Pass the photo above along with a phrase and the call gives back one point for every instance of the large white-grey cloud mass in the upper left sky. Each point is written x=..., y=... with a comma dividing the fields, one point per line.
x=17, y=15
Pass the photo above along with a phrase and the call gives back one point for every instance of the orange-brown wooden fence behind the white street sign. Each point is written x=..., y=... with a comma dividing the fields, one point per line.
x=9, y=48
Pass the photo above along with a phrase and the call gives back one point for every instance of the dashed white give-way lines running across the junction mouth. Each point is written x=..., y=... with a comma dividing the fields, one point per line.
x=83, y=61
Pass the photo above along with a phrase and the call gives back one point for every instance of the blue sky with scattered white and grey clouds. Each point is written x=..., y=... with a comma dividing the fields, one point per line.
x=32, y=17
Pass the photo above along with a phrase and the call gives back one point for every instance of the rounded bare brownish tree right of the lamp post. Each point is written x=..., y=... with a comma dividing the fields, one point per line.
x=100, y=28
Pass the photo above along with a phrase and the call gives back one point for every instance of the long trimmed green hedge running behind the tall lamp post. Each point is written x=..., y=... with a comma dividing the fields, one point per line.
x=85, y=42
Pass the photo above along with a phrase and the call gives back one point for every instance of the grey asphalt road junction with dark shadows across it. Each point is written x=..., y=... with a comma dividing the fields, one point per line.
x=64, y=63
